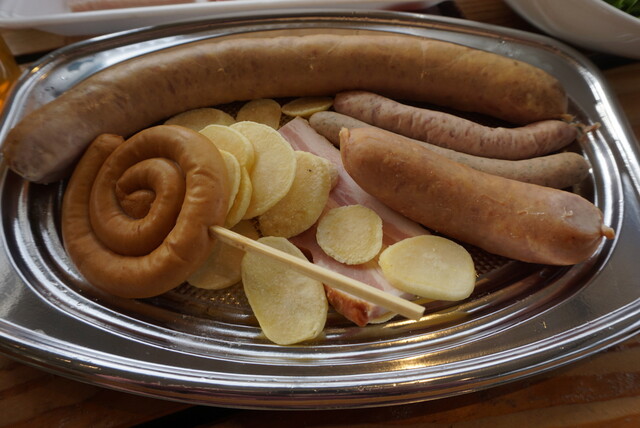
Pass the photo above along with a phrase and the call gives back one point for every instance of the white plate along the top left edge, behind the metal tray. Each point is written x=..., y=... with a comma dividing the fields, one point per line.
x=54, y=16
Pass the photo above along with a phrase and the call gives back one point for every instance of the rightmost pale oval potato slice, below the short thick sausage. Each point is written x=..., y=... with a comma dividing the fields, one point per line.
x=429, y=266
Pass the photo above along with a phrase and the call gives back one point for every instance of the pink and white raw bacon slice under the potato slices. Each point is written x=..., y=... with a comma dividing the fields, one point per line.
x=395, y=227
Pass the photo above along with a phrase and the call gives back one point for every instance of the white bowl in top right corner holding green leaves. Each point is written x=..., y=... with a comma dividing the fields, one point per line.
x=590, y=24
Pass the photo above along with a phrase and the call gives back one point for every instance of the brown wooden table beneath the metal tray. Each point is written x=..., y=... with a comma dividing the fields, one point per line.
x=603, y=390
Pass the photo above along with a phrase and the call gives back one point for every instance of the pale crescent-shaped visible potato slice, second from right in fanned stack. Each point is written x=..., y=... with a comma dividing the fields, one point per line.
x=274, y=166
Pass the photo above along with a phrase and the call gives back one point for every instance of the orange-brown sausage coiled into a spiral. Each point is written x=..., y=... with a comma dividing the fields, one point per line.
x=143, y=257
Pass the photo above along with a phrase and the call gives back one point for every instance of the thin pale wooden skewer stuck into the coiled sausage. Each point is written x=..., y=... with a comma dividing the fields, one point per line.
x=349, y=285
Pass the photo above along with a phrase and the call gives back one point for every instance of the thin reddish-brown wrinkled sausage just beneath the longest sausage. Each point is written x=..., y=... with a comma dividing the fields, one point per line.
x=456, y=133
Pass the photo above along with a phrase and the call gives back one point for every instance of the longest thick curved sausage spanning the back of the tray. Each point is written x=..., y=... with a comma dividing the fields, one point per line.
x=135, y=94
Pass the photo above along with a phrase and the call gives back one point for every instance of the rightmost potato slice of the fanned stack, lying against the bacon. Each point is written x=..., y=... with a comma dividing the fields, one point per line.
x=302, y=205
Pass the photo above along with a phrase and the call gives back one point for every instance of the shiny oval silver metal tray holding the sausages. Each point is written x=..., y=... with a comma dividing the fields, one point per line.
x=203, y=348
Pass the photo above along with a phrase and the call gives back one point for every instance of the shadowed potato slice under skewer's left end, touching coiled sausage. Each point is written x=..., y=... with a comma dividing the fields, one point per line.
x=222, y=268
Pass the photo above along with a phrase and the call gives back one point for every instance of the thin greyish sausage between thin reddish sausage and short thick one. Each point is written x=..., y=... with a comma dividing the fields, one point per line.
x=559, y=170
